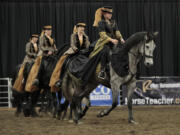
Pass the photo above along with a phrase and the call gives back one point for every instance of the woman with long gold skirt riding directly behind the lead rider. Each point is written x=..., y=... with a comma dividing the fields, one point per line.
x=79, y=41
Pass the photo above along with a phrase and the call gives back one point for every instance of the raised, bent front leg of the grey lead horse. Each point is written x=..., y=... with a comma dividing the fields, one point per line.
x=115, y=85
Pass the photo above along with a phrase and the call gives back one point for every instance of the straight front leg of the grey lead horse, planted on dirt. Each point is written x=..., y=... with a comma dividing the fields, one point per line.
x=131, y=86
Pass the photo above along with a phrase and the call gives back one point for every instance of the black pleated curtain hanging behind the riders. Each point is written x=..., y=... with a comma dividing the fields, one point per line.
x=19, y=19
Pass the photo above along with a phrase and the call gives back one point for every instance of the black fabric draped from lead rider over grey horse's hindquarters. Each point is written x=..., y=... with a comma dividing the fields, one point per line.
x=83, y=67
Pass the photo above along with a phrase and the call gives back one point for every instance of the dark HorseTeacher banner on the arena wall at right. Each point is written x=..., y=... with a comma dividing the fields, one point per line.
x=155, y=91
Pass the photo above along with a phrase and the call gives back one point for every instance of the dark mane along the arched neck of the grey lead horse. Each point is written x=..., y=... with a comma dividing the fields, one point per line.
x=133, y=40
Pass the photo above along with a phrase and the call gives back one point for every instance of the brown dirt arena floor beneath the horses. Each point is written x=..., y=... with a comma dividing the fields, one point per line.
x=153, y=120
